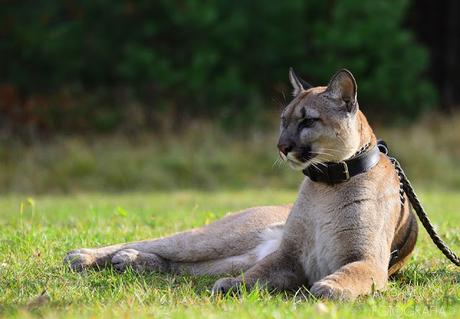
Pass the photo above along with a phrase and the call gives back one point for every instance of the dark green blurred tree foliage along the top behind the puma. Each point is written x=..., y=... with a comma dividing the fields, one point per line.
x=219, y=59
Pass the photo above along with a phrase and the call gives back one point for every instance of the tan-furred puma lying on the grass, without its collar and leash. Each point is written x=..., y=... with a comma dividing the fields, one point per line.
x=336, y=240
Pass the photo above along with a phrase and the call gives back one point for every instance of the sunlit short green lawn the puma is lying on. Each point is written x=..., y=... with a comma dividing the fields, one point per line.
x=36, y=232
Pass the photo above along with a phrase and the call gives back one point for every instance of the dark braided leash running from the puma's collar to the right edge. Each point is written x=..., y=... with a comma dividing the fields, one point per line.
x=413, y=199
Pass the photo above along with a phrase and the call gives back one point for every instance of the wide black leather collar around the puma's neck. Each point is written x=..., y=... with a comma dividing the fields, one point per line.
x=334, y=173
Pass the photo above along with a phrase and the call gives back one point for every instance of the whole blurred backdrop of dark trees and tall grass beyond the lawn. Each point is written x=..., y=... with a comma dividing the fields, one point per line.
x=163, y=95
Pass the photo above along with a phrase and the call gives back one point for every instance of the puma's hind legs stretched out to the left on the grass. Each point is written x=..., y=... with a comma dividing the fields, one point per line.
x=196, y=251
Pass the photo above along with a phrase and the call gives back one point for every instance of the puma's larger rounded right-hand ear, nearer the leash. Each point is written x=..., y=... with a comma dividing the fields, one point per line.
x=343, y=86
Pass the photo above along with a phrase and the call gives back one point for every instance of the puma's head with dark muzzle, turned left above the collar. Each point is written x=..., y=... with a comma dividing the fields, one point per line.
x=322, y=124
